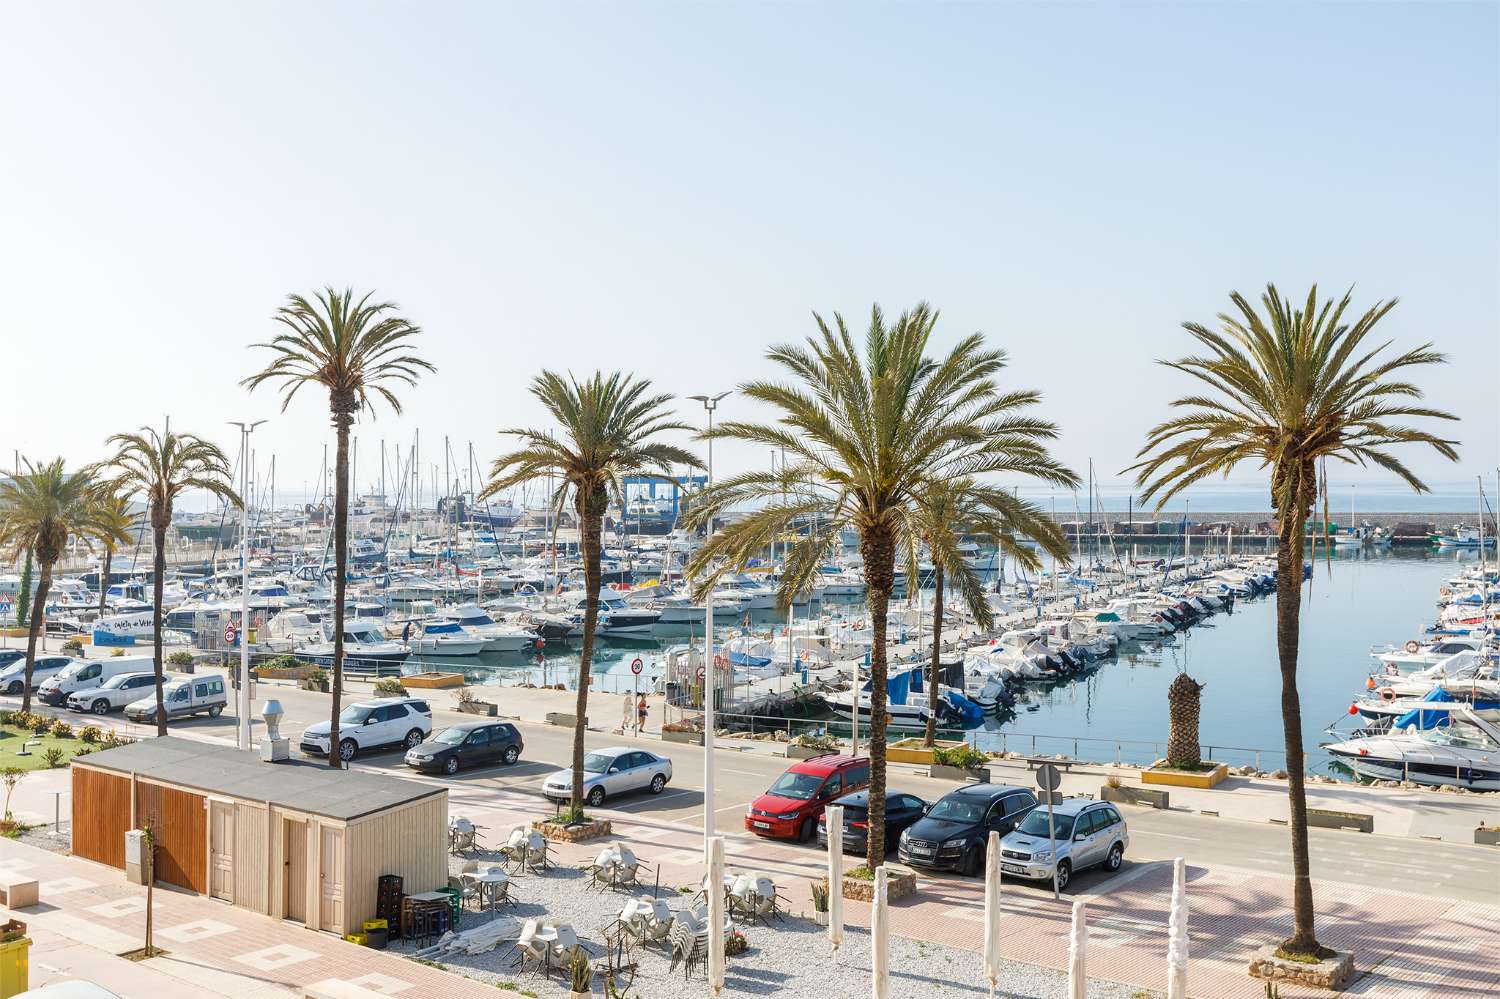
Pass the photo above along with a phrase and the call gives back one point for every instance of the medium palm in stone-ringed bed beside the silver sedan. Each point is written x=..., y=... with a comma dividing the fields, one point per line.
x=608, y=424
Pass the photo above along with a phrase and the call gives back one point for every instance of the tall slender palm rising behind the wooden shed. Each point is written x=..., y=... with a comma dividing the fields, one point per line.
x=355, y=350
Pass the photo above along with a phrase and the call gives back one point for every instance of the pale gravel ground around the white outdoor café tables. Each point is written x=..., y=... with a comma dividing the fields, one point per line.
x=790, y=959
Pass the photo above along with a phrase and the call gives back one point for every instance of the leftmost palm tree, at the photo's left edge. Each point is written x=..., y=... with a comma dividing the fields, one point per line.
x=41, y=511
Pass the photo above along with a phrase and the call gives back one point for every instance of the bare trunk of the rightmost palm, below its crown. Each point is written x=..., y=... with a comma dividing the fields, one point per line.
x=1289, y=587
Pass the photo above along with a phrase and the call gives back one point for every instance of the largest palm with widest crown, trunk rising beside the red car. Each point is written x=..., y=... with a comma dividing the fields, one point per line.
x=863, y=431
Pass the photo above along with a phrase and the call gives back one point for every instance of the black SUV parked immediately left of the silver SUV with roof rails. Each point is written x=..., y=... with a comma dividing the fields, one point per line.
x=955, y=832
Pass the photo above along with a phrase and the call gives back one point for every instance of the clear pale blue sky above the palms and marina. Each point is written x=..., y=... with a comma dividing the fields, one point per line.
x=670, y=188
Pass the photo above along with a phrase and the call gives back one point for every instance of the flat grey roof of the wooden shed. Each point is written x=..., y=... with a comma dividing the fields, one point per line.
x=224, y=770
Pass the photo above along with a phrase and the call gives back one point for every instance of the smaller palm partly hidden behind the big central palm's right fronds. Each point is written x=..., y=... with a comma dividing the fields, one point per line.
x=950, y=509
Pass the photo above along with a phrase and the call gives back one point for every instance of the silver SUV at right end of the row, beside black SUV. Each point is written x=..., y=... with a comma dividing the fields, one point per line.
x=1088, y=833
